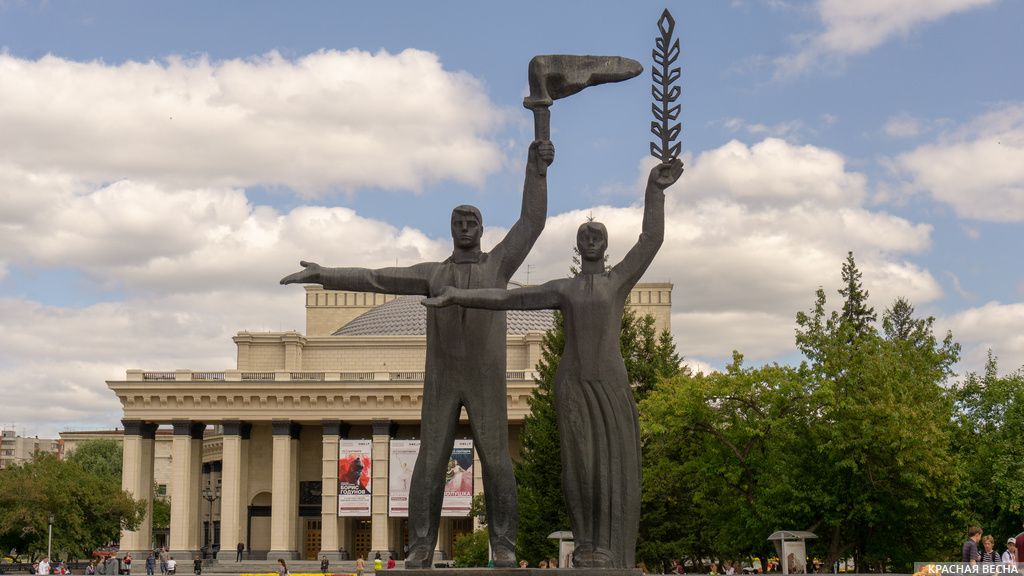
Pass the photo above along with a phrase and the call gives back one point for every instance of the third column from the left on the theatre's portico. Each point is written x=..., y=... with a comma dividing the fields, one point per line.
x=233, y=488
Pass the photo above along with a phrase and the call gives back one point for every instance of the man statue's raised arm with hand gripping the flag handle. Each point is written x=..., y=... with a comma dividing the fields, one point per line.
x=514, y=249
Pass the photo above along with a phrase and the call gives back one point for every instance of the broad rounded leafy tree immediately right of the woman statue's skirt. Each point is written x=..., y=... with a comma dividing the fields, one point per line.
x=723, y=463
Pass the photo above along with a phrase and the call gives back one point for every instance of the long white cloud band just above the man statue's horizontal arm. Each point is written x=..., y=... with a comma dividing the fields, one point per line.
x=150, y=238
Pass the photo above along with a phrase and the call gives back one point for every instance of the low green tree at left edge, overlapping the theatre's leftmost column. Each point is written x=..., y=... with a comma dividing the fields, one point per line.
x=89, y=510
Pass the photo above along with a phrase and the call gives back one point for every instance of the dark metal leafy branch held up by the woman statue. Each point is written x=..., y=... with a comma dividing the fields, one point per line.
x=666, y=92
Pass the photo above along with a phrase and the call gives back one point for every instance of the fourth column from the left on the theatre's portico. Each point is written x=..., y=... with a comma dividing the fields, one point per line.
x=284, y=492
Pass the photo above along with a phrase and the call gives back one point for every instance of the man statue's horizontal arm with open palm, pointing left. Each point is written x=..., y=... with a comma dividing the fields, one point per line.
x=410, y=280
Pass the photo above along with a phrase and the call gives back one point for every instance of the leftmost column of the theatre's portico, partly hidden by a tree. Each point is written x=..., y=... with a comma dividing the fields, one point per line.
x=137, y=478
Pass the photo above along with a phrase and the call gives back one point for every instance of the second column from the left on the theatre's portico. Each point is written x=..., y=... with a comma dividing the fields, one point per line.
x=187, y=462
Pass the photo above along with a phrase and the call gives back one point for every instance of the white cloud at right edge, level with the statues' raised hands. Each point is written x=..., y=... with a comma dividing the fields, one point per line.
x=978, y=170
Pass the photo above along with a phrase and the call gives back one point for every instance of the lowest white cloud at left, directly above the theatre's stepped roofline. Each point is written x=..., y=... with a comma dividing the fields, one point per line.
x=57, y=360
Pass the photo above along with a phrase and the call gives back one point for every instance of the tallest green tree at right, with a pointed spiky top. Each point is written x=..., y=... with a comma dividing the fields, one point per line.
x=883, y=443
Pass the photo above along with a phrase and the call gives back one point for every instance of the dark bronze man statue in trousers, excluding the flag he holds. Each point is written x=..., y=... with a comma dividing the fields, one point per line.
x=465, y=360
